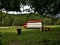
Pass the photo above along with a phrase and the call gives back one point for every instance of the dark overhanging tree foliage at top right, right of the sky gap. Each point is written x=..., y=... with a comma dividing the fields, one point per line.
x=45, y=7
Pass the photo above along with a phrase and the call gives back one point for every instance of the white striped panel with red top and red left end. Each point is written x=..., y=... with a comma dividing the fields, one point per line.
x=33, y=24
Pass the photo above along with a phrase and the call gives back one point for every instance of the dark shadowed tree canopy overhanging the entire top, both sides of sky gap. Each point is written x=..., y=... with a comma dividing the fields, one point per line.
x=44, y=7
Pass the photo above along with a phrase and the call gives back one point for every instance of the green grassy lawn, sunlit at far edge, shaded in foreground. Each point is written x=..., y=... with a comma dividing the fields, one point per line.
x=30, y=36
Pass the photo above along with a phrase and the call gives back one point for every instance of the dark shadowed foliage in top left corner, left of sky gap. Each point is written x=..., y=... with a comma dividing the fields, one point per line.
x=10, y=5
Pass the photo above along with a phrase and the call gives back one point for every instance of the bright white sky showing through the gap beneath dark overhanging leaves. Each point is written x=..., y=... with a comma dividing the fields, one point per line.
x=22, y=7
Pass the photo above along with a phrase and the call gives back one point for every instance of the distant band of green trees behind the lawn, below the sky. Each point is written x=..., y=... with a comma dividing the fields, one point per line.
x=19, y=19
